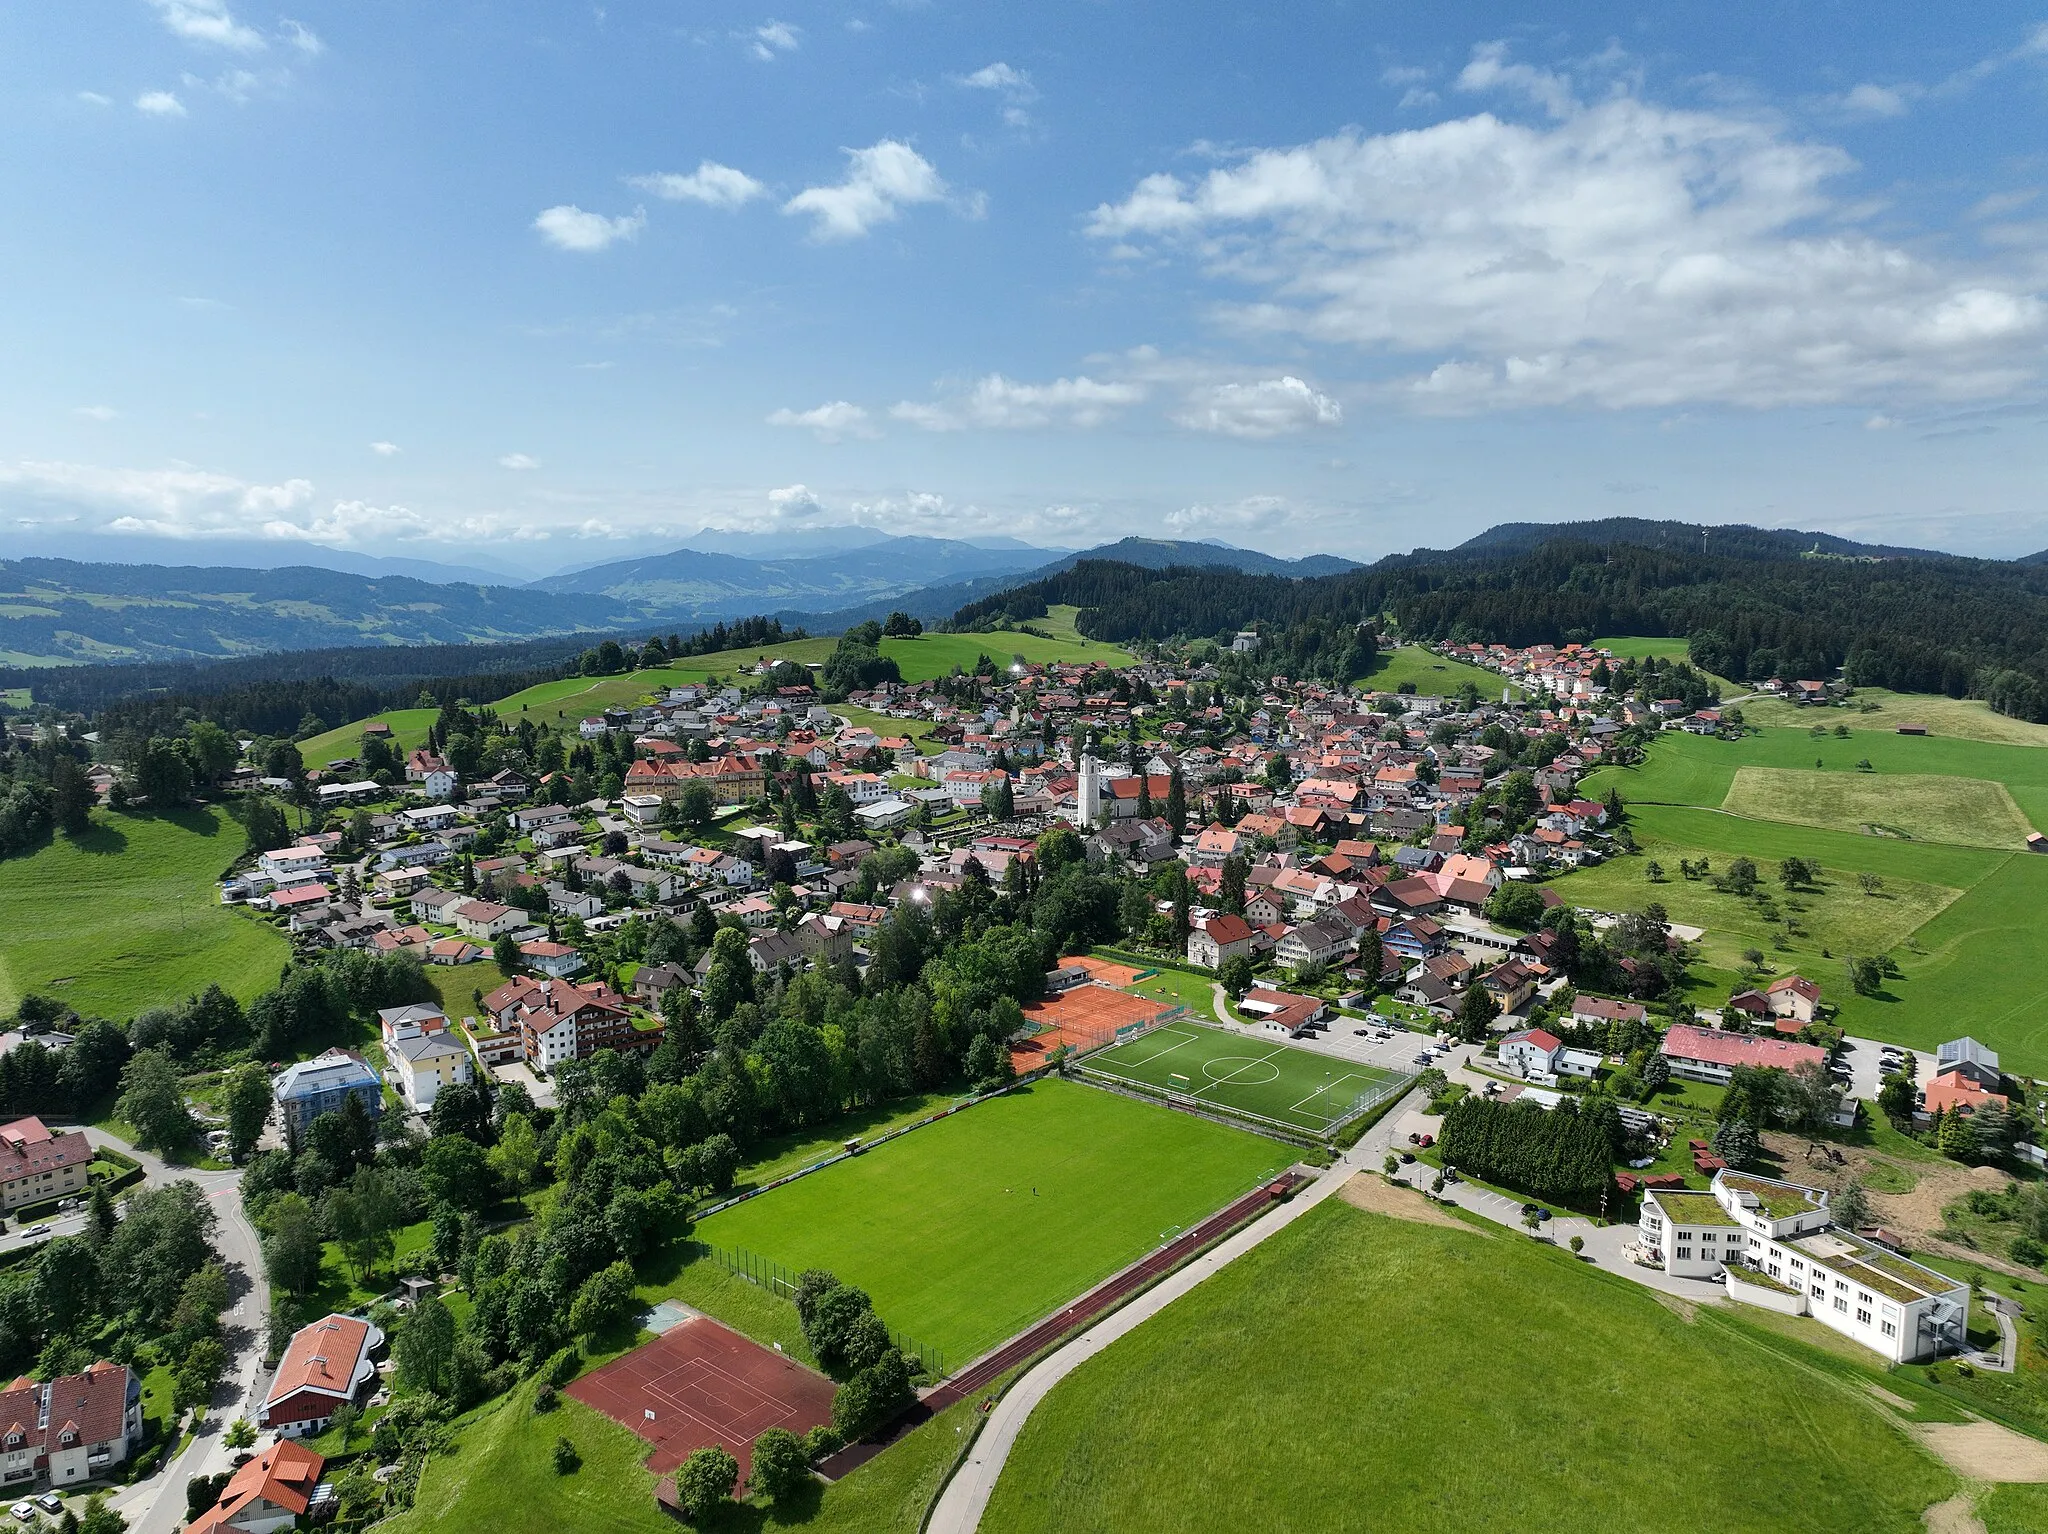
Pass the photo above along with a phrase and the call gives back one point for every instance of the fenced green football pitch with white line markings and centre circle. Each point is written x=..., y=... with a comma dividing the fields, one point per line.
x=1248, y=1076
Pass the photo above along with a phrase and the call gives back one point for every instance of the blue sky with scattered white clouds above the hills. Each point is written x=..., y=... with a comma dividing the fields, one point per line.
x=568, y=282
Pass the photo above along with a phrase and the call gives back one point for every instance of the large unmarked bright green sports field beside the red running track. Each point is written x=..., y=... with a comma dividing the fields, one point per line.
x=978, y=1226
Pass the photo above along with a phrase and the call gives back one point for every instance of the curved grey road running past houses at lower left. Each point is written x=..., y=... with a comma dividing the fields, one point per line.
x=157, y=1504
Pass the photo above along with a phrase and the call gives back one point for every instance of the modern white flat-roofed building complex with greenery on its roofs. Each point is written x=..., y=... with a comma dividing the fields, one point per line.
x=1775, y=1244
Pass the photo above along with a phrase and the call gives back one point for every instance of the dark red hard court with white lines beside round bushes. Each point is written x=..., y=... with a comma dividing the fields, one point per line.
x=701, y=1383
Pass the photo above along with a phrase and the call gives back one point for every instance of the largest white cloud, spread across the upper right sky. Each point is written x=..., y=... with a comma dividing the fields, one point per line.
x=1613, y=253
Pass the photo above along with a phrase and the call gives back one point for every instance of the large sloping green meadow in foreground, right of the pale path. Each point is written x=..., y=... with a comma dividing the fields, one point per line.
x=1525, y=1394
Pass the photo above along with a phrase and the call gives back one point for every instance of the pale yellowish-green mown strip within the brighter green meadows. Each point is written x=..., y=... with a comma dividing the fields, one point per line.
x=1922, y=808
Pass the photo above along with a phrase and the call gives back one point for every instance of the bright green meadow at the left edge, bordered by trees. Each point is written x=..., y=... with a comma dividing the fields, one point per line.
x=128, y=917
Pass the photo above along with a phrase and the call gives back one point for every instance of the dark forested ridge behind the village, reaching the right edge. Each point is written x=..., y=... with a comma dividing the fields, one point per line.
x=1756, y=605
